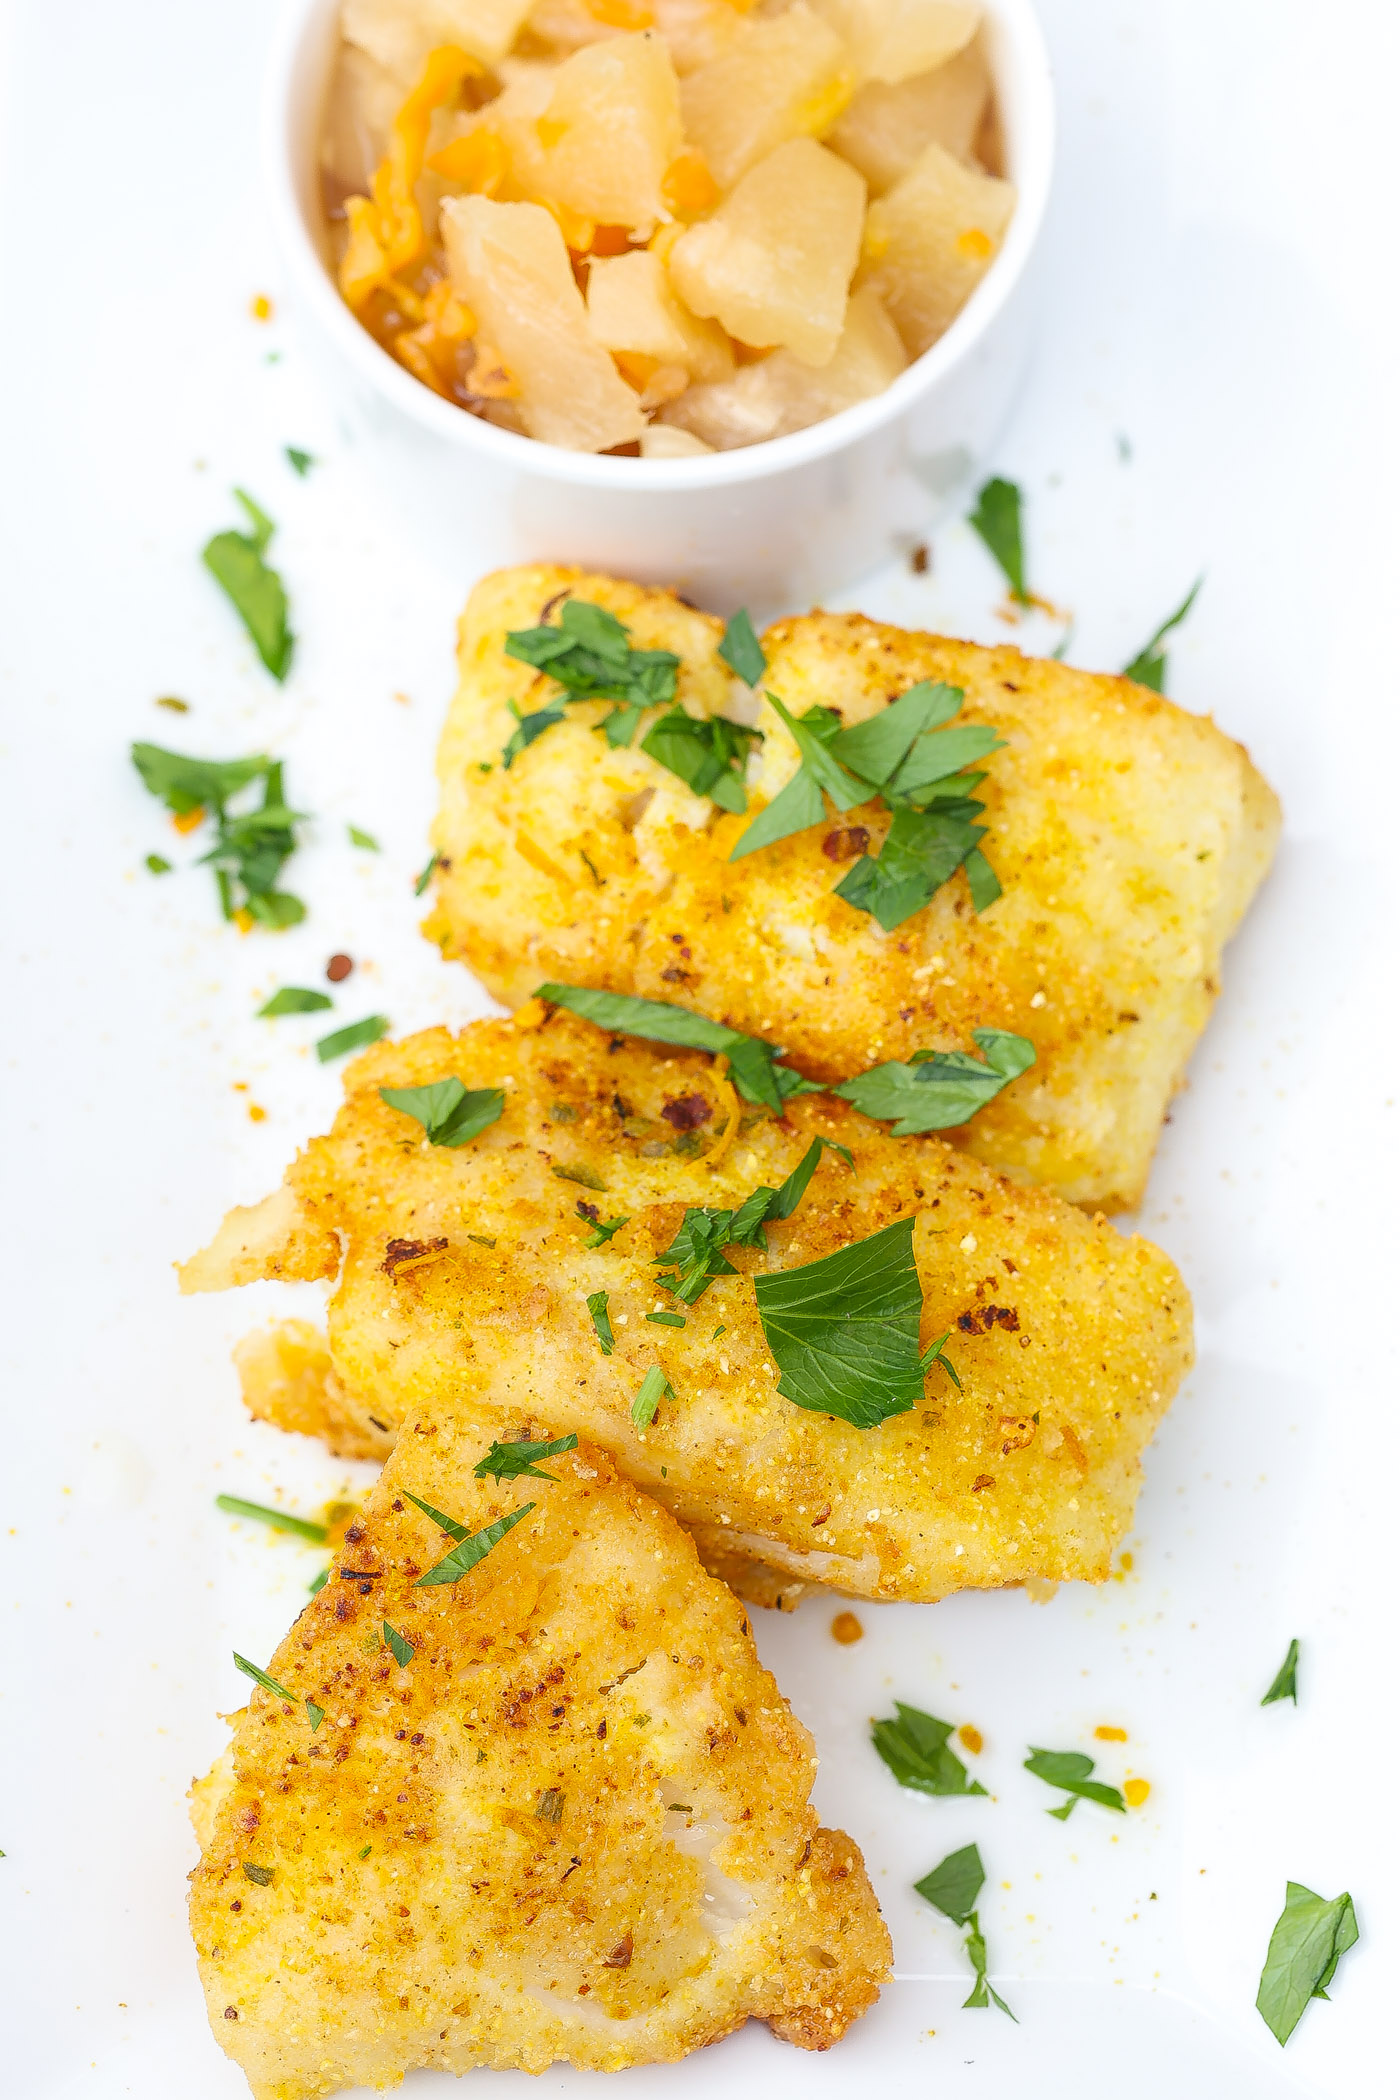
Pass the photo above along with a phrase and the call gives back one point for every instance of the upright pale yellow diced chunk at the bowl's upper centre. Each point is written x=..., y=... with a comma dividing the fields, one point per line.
x=612, y=129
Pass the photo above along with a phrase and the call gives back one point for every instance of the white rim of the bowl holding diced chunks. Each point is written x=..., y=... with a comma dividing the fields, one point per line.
x=1025, y=68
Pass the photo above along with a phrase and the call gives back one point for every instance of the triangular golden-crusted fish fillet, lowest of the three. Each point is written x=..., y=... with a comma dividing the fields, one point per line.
x=572, y=1826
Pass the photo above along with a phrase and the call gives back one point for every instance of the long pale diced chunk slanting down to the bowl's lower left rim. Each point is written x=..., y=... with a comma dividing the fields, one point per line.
x=509, y=264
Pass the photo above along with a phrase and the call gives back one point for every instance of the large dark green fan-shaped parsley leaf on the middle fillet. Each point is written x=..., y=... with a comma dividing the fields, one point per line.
x=845, y=1330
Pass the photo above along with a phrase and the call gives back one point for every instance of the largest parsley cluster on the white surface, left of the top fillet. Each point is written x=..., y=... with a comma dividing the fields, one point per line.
x=253, y=847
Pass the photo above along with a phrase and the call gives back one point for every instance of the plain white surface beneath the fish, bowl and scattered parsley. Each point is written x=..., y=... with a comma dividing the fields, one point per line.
x=1221, y=293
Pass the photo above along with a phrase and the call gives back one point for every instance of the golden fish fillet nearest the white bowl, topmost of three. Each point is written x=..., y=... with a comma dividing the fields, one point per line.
x=1128, y=837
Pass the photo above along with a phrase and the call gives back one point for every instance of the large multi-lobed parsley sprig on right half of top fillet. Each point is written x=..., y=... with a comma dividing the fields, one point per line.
x=916, y=765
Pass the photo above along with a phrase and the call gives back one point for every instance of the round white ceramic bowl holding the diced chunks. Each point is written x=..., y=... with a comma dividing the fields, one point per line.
x=767, y=526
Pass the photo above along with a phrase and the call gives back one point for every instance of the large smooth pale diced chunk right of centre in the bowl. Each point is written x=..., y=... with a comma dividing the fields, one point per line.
x=776, y=261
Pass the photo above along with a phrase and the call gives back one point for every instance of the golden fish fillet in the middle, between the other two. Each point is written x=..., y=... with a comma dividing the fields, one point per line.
x=465, y=1288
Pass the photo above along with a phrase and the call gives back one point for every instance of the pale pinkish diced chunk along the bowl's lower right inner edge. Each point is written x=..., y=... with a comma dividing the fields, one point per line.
x=780, y=394
